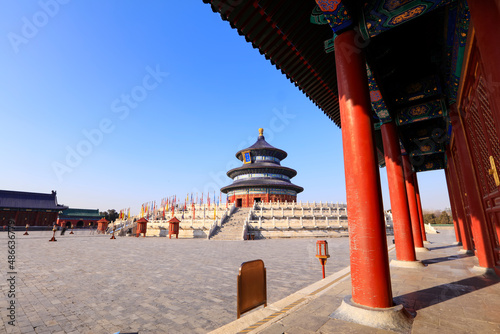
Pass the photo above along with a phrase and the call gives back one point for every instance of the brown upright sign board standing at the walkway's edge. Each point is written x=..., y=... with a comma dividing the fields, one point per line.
x=252, y=287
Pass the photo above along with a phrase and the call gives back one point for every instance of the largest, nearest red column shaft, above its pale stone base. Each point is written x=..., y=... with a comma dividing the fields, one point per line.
x=370, y=277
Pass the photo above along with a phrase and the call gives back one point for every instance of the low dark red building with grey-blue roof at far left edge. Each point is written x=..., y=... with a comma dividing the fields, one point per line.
x=35, y=209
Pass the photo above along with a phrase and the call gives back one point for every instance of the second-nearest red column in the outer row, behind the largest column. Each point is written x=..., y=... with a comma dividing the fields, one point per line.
x=405, y=249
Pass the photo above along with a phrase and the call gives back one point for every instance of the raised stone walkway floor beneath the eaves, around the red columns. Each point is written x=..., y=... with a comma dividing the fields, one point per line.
x=443, y=297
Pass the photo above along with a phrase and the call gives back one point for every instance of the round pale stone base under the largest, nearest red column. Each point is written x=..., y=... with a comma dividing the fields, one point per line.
x=394, y=318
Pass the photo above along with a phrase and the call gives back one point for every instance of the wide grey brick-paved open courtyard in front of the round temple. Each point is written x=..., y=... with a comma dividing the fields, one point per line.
x=89, y=284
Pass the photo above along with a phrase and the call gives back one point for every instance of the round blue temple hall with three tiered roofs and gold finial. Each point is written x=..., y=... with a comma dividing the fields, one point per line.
x=261, y=178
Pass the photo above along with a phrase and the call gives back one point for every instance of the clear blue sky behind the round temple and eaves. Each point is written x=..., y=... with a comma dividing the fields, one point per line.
x=116, y=103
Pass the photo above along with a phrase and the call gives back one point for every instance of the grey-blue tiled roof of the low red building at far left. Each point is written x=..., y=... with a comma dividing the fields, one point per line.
x=26, y=200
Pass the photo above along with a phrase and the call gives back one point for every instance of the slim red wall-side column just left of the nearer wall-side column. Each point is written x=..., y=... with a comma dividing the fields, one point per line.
x=459, y=204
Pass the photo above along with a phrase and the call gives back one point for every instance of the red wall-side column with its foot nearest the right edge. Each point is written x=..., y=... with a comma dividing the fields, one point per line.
x=484, y=250
